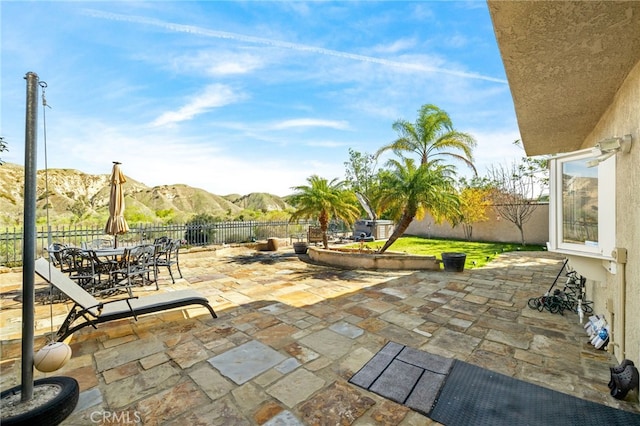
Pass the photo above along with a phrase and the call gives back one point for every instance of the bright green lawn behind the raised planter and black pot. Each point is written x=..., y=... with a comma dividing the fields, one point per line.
x=480, y=253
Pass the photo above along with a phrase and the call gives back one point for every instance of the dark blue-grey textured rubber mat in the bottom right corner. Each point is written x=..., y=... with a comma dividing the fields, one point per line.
x=476, y=396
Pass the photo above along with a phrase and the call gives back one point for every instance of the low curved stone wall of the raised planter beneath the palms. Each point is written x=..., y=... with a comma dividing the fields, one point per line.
x=355, y=259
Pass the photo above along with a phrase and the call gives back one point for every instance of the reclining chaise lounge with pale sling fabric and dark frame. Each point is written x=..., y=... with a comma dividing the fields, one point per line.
x=95, y=312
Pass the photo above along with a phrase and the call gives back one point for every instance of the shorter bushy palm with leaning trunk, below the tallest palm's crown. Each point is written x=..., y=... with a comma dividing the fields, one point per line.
x=408, y=192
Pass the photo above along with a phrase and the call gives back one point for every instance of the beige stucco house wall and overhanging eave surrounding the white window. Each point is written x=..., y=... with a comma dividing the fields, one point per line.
x=574, y=74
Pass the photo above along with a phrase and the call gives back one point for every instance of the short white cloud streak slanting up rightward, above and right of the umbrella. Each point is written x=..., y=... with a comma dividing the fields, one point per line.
x=213, y=96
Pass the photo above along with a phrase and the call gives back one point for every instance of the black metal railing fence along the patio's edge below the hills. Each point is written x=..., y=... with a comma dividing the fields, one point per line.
x=191, y=234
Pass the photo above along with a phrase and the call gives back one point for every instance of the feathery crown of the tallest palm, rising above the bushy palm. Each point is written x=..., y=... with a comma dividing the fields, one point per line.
x=432, y=137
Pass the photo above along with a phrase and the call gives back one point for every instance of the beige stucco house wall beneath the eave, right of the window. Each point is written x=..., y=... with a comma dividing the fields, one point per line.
x=623, y=117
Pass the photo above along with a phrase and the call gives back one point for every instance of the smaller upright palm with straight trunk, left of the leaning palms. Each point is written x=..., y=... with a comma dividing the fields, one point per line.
x=323, y=200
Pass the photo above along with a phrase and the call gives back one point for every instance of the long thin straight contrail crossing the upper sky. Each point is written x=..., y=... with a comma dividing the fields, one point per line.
x=191, y=29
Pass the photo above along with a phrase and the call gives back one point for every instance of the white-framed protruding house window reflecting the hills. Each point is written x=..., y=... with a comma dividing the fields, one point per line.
x=582, y=204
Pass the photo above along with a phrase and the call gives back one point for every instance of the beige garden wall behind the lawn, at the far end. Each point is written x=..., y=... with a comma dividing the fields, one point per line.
x=496, y=228
